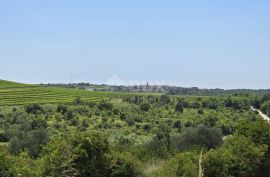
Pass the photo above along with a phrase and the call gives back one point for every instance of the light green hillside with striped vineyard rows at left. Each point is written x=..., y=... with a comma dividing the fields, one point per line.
x=12, y=93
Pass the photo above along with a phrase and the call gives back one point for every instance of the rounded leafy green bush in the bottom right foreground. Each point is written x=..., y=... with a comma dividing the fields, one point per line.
x=239, y=157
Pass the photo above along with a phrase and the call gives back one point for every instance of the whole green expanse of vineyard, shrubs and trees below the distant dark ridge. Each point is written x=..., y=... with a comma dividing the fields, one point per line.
x=101, y=134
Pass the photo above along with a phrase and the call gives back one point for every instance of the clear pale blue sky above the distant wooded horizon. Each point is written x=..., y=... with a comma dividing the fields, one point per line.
x=202, y=43
